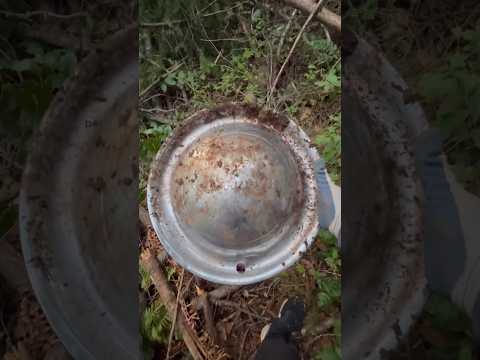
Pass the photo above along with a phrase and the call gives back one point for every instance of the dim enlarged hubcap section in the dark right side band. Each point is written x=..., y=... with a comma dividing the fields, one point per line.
x=383, y=283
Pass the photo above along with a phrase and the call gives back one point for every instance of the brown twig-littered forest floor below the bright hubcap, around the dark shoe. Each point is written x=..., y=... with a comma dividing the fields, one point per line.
x=240, y=317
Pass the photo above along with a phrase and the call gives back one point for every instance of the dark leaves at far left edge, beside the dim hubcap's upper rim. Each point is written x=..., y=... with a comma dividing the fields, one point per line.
x=30, y=74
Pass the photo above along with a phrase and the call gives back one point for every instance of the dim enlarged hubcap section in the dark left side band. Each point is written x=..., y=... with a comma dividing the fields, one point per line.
x=79, y=209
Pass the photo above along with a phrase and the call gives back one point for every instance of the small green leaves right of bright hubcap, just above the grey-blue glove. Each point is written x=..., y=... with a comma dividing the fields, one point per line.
x=330, y=147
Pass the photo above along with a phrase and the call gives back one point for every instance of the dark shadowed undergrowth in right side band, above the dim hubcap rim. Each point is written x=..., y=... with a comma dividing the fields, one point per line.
x=439, y=58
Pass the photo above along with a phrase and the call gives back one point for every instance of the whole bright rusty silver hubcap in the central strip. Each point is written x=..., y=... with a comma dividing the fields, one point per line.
x=232, y=194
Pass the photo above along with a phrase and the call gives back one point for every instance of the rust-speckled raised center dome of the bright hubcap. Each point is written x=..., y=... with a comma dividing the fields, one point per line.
x=235, y=189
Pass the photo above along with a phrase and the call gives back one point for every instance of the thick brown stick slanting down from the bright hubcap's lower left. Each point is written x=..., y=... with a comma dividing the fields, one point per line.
x=161, y=284
